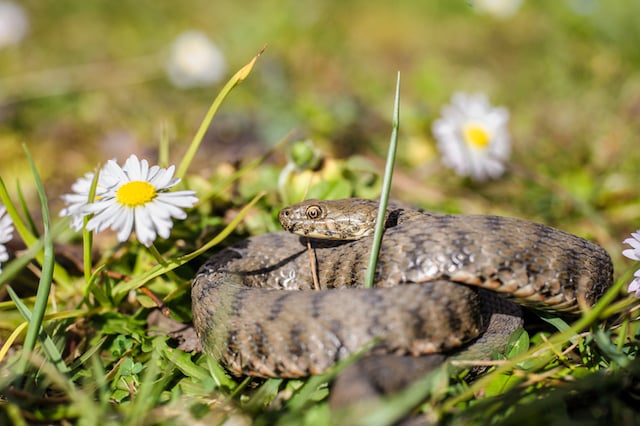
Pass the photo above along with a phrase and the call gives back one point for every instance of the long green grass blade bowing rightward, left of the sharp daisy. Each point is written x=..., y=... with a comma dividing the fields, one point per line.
x=46, y=277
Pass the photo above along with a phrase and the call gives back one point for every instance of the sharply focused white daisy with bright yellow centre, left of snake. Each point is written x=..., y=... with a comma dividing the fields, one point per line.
x=138, y=198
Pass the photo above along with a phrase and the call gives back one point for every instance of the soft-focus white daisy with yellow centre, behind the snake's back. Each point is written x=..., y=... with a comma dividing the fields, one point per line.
x=473, y=137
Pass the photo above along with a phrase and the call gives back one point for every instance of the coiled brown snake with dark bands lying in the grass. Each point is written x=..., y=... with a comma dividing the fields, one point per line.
x=267, y=306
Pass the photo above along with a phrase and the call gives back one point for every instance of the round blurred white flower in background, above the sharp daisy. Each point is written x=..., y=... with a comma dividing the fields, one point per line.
x=195, y=61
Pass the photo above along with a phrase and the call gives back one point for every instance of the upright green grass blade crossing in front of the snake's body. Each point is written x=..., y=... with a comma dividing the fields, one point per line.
x=386, y=189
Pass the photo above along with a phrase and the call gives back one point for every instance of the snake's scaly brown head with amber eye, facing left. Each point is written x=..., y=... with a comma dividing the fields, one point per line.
x=346, y=219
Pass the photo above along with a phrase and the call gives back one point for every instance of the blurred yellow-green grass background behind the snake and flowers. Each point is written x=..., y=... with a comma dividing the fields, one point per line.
x=88, y=83
